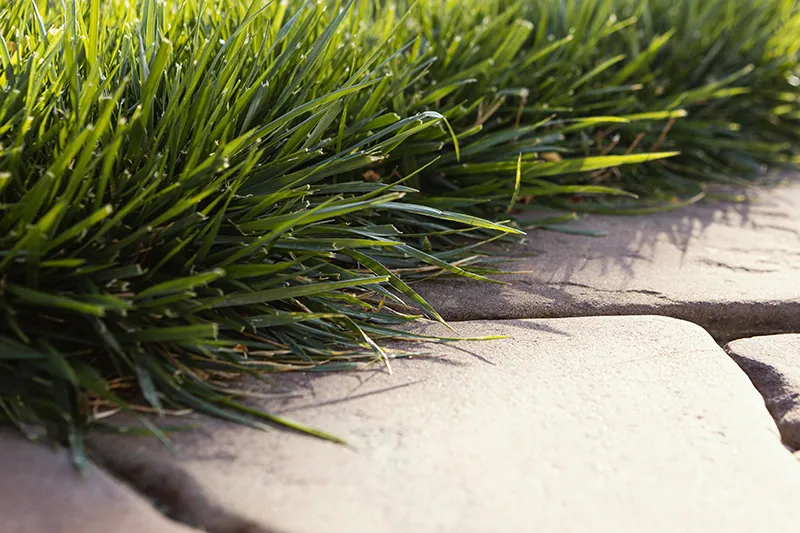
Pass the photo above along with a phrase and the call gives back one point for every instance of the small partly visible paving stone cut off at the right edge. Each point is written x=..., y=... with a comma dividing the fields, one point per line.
x=773, y=365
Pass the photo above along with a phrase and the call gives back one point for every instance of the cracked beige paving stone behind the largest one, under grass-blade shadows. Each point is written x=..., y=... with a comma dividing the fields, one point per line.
x=732, y=268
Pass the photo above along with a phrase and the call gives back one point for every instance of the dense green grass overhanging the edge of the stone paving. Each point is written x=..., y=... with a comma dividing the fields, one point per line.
x=195, y=190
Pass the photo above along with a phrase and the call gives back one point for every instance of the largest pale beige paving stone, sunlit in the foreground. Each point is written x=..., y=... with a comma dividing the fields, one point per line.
x=608, y=424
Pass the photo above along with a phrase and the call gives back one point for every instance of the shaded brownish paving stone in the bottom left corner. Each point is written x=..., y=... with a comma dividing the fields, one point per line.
x=42, y=492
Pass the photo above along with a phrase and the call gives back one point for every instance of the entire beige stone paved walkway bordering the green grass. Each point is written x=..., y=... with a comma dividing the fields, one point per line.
x=590, y=423
